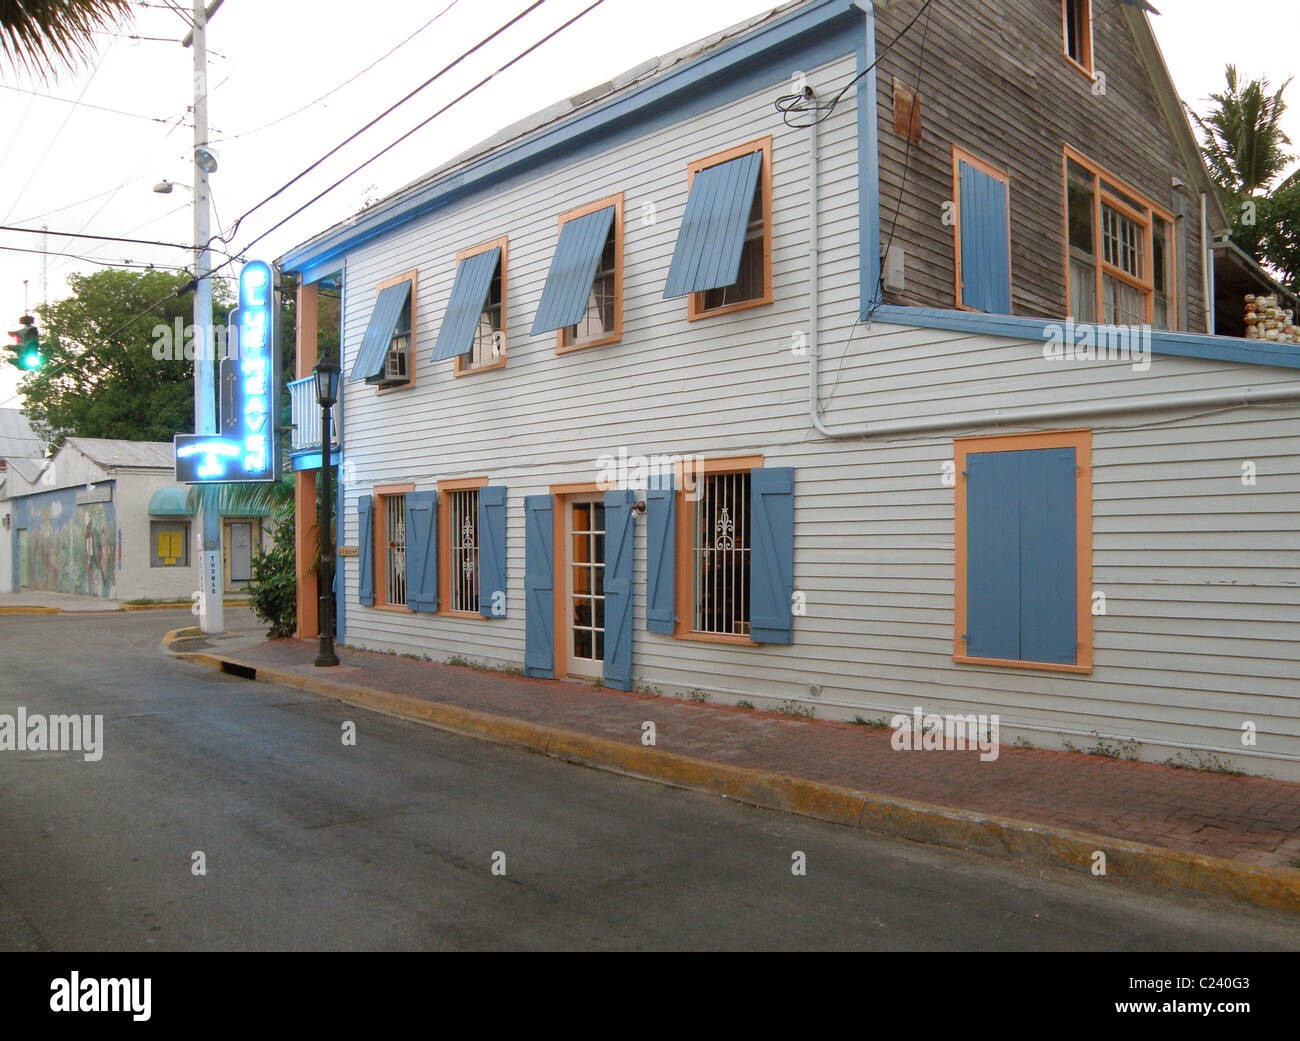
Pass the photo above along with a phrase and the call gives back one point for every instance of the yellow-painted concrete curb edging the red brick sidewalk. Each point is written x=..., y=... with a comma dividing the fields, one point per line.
x=920, y=822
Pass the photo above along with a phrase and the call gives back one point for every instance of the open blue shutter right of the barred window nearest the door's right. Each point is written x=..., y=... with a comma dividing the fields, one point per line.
x=772, y=559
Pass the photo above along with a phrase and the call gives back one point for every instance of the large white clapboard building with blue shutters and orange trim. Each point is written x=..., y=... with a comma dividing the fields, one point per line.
x=873, y=485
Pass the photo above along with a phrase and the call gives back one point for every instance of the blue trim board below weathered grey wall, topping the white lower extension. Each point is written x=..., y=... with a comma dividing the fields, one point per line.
x=1180, y=345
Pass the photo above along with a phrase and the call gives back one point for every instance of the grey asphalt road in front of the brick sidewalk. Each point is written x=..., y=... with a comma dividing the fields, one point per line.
x=389, y=844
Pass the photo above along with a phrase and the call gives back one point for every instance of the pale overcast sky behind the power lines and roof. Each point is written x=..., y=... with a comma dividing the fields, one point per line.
x=80, y=168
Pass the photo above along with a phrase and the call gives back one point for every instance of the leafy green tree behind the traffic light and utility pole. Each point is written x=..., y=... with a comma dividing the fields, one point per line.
x=102, y=379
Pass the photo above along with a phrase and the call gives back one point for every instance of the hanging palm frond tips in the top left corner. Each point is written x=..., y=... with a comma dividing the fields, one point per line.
x=44, y=36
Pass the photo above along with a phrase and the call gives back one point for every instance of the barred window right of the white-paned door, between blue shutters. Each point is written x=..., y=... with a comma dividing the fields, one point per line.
x=721, y=549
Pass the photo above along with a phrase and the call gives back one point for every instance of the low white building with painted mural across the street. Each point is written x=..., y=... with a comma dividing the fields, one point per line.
x=107, y=519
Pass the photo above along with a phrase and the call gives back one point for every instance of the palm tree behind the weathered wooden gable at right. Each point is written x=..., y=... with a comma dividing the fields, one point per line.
x=1245, y=148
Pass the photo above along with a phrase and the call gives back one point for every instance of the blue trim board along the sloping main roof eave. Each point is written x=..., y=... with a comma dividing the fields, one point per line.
x=805, y=38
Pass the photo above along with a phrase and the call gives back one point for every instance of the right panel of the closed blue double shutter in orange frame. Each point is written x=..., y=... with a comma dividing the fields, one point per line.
x=1048, y=557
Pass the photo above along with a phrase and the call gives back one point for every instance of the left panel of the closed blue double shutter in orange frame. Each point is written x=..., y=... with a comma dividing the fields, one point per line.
x=994, y=556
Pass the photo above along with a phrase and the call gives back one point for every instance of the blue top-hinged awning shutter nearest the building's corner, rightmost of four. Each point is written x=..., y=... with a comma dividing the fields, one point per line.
x=713, y=228
